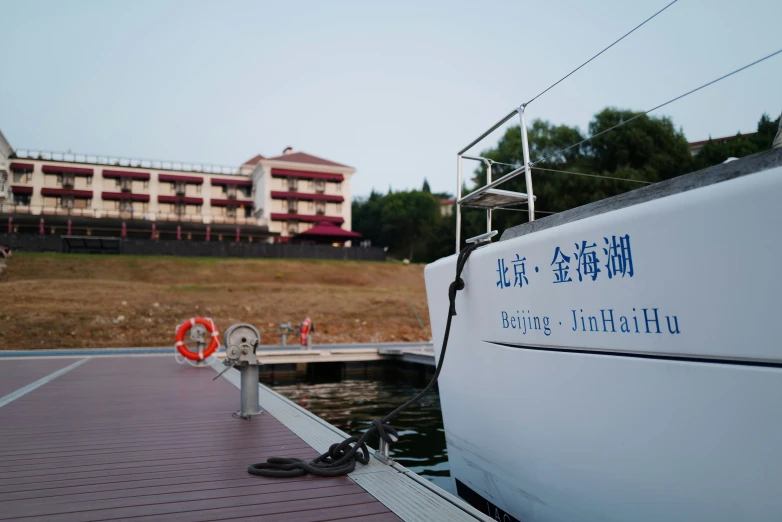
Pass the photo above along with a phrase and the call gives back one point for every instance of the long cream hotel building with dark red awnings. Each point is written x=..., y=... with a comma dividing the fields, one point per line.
x=265, y=199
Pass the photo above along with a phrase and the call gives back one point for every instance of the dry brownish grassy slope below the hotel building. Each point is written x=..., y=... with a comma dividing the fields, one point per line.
x=80, y=301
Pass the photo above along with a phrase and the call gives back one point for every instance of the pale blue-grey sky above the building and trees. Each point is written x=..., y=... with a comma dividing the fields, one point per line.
x=391, y=88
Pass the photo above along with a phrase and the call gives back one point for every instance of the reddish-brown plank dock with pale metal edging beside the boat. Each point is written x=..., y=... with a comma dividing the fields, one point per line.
x=114, y=438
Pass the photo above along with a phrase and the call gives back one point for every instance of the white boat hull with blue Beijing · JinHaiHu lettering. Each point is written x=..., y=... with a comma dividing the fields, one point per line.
x=651, y=396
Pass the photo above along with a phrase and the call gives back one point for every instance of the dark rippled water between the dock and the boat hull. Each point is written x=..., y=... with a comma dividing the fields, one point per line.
x=352, y=403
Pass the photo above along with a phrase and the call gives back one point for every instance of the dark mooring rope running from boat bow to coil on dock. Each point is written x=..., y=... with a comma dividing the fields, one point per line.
x=341, y=457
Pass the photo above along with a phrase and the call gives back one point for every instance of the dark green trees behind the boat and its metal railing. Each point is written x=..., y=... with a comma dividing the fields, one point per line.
x=411, y=225
